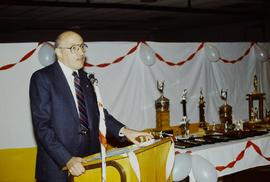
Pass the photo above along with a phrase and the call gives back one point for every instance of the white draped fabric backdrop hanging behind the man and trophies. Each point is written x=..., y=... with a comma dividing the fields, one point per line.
x=129, y=89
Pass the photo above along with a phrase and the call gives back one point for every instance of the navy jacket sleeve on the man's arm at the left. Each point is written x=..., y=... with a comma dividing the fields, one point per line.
x=40, y=102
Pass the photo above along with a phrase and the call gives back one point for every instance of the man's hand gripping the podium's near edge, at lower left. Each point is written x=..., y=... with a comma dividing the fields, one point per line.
x=75, y=166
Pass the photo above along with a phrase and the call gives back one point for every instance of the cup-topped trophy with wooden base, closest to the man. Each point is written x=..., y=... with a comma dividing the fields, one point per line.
x=162, y=109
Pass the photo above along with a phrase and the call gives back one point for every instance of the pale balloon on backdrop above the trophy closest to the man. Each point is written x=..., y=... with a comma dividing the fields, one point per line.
x=147, y=55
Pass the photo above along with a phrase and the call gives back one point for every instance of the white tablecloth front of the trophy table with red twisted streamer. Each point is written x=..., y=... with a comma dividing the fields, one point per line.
x=234, y=156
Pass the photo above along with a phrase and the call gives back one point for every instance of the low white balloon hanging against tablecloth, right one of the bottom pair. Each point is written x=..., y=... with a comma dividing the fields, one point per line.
x=203, y=170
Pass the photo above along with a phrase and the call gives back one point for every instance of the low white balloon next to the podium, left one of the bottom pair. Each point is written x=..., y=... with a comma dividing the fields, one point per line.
x=182, y=167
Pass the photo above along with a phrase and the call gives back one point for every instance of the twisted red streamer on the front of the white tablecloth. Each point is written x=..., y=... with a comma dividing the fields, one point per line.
x=241, y=155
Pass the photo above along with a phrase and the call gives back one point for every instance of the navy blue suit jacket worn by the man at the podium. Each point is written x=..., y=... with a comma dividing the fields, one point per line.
x=56, y=122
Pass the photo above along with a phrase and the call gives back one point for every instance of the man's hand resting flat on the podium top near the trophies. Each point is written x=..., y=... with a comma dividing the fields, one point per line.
x=136, y=136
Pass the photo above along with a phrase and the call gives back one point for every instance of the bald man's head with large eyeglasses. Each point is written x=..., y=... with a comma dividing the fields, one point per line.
x=70, y=49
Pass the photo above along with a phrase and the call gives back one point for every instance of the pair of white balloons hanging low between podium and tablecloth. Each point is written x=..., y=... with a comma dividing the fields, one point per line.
x=202, y=169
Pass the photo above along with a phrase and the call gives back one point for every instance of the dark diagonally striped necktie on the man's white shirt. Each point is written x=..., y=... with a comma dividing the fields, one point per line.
x=81, y=103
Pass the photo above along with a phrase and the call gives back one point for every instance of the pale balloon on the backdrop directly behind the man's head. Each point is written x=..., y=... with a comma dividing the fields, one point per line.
x=46, y=54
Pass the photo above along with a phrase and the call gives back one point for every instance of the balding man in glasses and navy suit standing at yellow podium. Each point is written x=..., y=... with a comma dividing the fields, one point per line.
x=67, y=130
